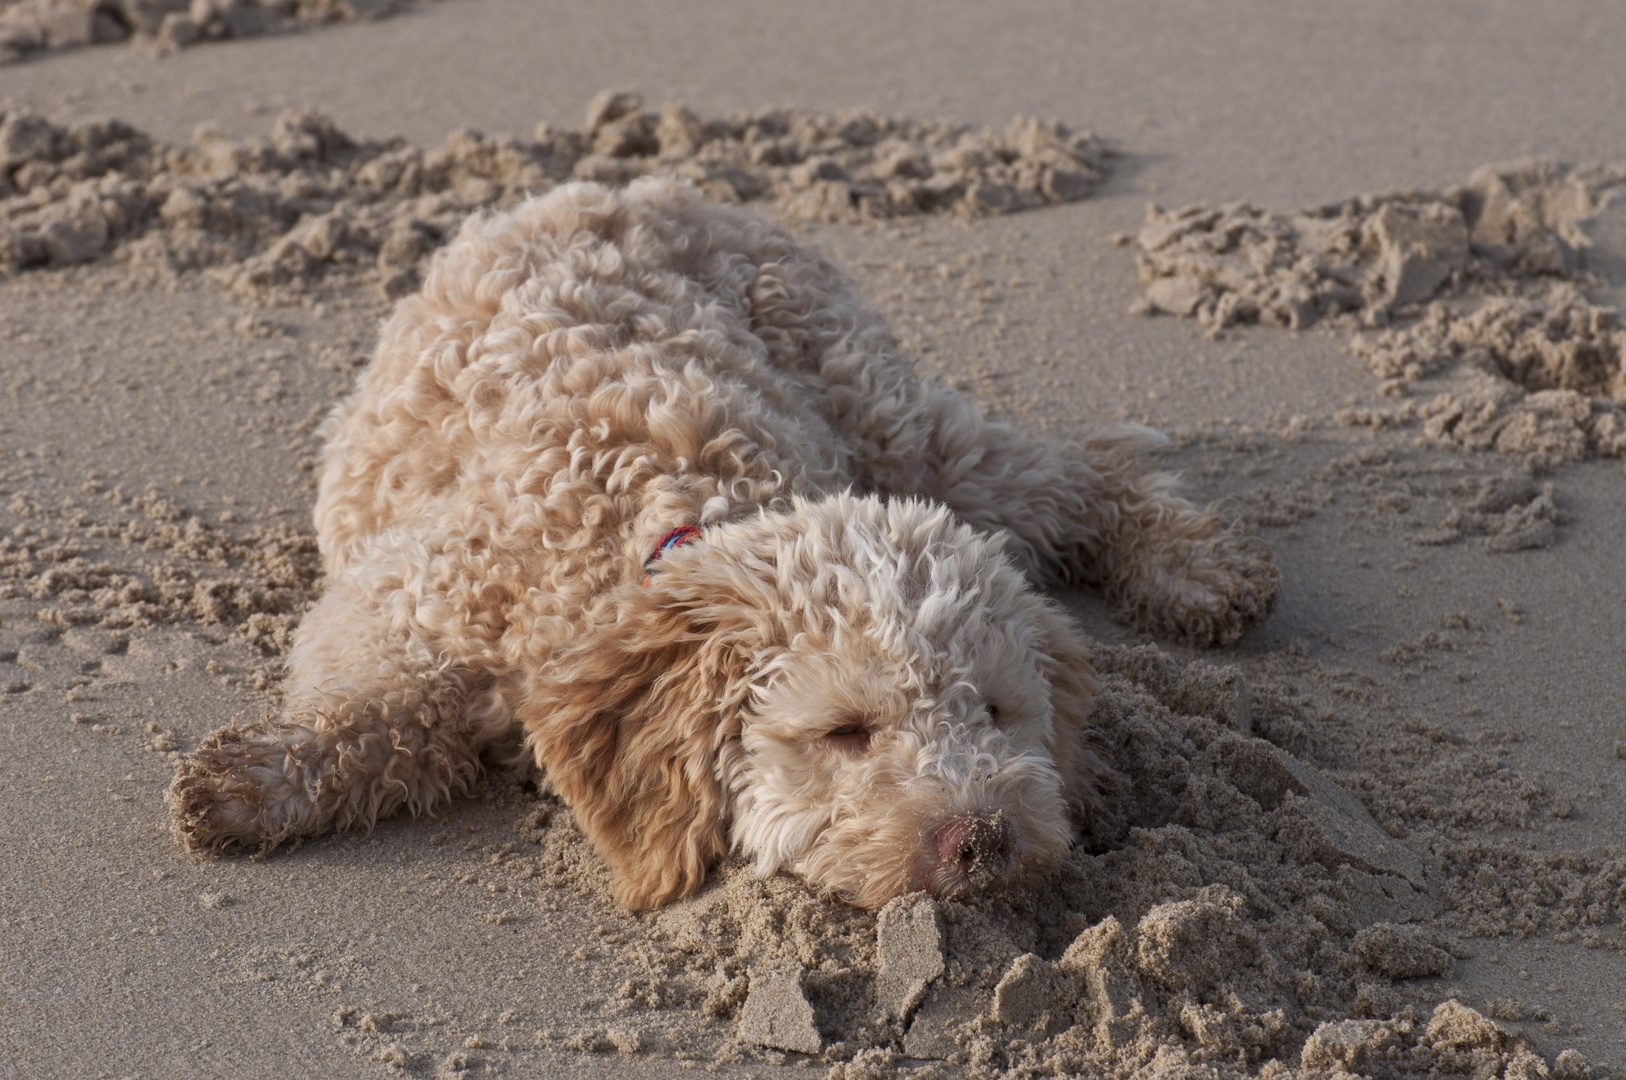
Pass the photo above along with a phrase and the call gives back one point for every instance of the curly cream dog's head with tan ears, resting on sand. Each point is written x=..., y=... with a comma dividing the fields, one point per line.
x=864, y=692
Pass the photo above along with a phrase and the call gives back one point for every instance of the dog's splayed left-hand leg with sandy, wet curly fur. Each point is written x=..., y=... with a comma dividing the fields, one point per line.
x=375, y=721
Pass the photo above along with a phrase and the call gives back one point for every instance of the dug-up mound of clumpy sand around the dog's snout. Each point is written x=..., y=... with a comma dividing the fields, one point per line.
x=1245, y=915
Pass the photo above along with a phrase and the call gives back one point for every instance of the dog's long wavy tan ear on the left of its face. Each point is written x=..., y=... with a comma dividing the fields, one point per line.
x=628, y=720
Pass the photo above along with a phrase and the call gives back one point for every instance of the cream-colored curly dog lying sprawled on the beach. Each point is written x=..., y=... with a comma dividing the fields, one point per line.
x=640, y=479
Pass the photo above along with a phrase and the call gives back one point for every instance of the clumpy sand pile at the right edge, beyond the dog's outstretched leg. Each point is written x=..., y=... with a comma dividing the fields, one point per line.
x=1482, y=279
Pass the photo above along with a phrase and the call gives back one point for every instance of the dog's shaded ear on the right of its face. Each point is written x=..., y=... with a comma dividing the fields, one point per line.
x=1089, y=785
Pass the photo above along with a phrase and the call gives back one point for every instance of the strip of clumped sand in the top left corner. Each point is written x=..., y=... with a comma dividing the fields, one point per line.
x=165, y=25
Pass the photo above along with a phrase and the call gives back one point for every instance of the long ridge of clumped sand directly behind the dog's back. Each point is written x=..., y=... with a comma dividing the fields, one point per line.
x=276, y=217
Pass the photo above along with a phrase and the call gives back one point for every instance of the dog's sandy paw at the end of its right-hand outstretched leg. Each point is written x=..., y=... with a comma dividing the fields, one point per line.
x=1211, y=593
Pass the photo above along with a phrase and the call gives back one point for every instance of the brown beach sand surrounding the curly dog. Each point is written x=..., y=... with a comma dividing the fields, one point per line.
x=1380, y=837
